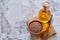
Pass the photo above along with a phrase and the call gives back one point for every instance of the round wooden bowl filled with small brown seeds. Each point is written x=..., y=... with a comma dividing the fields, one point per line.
x=35, y=27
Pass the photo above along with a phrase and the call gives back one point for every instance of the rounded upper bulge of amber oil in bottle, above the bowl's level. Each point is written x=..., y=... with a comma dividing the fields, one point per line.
x=44, y=16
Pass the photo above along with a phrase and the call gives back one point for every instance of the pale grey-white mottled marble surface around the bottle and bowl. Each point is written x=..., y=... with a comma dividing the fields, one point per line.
x=14, y=13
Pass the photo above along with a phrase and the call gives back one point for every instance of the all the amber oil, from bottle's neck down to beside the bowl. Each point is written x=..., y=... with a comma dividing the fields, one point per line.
x=44, y=17
